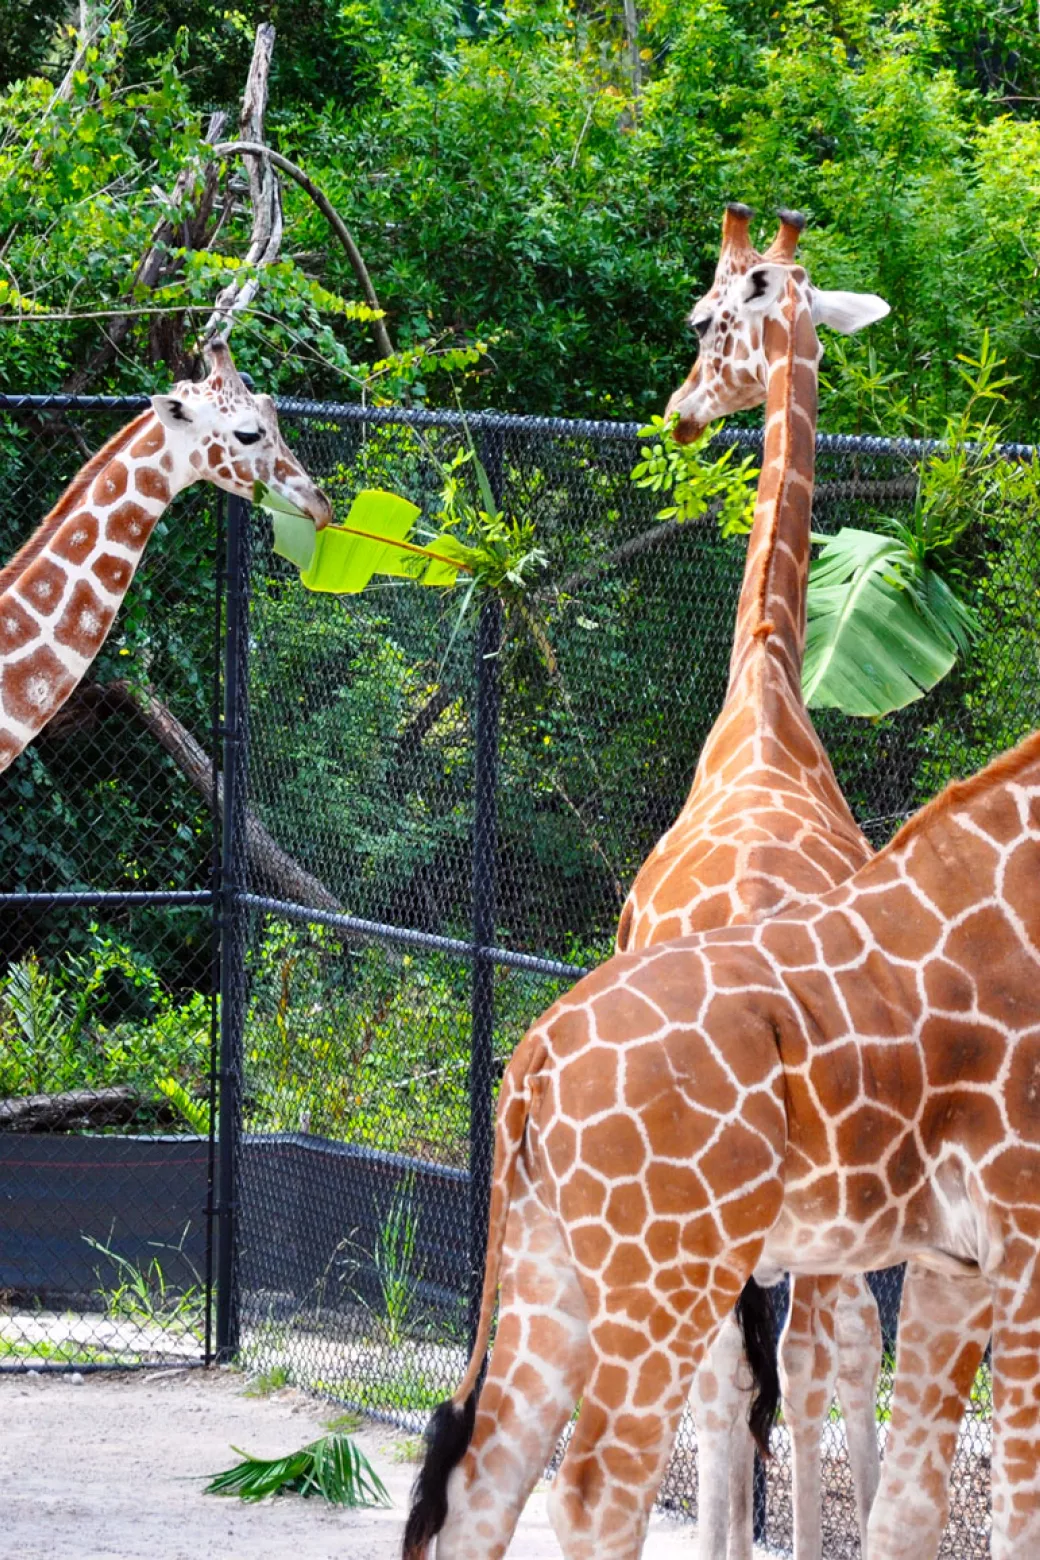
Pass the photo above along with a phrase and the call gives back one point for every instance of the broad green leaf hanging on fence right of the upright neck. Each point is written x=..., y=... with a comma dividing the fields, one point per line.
x=869, y=647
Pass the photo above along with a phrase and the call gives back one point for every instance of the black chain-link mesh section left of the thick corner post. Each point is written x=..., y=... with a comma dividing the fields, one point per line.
x=107, y=954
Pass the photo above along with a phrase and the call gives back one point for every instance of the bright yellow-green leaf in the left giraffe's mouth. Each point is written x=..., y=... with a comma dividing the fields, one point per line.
x=373, y=541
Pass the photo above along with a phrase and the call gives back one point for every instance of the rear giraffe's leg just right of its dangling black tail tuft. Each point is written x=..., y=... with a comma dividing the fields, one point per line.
x=808, y=1372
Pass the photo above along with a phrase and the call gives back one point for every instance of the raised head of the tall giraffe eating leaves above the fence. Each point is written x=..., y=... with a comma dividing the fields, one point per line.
x=732, y=367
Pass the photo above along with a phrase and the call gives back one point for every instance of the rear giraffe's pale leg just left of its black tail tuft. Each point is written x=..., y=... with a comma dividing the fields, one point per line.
x=726, y=1453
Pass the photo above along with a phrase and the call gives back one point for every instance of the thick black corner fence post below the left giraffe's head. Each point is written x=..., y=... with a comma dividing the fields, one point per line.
x=233, y=918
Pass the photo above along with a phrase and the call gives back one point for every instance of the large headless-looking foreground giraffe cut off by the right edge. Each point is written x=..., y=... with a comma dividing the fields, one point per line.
x=849, y=1085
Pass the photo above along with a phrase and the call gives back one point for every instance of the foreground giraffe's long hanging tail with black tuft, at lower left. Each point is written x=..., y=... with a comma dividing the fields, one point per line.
x=453, y=1422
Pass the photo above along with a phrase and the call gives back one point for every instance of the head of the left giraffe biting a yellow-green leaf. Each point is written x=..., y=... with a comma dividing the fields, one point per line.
x=221, y=433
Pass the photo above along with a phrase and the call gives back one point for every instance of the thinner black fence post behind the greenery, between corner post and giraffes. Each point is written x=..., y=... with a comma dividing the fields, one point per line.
x=486, y=828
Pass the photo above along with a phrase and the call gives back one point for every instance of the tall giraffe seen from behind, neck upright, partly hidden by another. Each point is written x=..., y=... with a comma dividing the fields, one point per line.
x=766, y=826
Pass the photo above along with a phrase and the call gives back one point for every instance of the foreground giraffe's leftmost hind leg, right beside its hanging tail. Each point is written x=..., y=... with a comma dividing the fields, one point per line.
x=536, y=1375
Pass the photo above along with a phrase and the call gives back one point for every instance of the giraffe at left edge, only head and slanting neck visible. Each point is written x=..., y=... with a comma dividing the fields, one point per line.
x=62, y=592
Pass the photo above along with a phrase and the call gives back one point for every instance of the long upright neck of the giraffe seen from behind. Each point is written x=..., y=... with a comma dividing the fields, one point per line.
x=777, y=572
